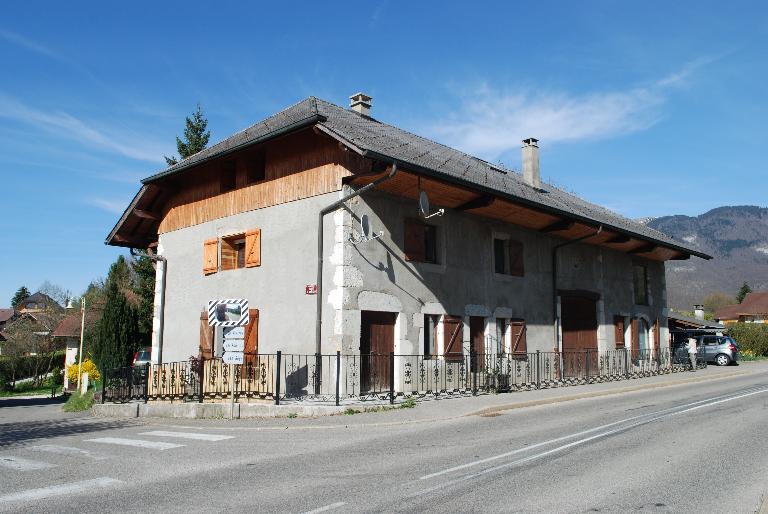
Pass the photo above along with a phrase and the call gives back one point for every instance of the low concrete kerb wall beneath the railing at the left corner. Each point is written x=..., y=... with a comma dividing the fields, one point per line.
x=211, y=410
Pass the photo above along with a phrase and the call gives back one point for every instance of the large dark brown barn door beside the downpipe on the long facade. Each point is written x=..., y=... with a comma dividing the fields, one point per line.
x=579, y=325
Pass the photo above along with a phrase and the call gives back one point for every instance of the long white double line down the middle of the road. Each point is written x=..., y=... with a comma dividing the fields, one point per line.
x=653, y=416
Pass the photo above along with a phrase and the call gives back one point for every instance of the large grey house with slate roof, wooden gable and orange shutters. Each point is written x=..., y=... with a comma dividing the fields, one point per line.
x=495, y=261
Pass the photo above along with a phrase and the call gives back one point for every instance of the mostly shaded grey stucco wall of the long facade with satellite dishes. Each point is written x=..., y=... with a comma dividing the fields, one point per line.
x=464, y=283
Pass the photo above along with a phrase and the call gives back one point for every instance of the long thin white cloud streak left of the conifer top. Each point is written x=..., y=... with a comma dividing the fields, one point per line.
x=67, y=126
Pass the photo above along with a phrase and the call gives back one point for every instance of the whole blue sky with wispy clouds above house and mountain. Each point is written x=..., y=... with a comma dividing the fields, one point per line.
x=649, y=108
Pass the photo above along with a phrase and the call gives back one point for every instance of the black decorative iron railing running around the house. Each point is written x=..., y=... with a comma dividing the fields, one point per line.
x=384, y=377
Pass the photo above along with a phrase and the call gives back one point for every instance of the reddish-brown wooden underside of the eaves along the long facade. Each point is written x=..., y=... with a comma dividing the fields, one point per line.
x=407, y=184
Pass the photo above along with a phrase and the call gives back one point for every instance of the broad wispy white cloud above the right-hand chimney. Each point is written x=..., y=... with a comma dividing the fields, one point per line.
x=491, y=121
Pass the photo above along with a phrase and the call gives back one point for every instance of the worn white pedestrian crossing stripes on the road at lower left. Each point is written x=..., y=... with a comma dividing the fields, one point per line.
x=71, y=455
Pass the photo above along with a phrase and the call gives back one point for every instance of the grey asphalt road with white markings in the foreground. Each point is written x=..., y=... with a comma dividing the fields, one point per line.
x=689, y=448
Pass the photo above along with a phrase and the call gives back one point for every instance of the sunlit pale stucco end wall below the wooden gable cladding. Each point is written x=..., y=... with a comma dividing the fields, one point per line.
x=276, y=288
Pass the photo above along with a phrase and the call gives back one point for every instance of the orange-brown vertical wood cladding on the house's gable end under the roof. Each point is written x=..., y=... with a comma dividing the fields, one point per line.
x=298, y=166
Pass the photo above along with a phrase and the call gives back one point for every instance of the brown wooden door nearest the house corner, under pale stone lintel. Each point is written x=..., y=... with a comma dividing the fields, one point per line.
x=377, y=341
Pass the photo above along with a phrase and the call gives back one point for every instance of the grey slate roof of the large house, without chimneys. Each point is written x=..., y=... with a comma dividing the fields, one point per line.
x=375, y=139
